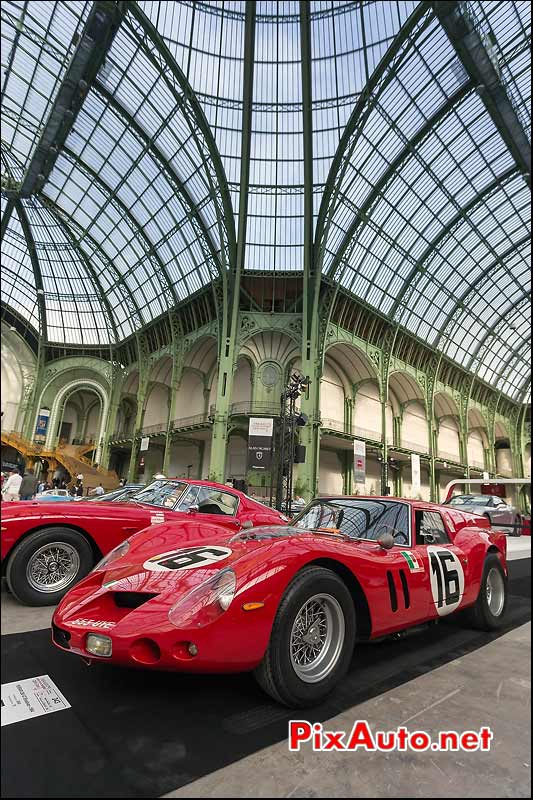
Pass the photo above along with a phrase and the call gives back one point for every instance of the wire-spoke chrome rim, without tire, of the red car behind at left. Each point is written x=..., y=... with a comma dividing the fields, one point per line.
x=53, y=567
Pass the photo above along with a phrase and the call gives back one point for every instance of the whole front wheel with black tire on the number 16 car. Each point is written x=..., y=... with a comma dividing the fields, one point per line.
x=312, y=640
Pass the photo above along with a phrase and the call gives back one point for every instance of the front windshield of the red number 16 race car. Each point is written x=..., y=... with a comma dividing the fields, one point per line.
x=357, y=519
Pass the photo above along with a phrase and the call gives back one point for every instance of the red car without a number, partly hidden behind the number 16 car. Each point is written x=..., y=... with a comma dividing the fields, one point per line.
x=48, y=547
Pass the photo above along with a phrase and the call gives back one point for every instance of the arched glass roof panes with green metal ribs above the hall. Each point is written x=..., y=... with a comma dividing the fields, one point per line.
x=421, y=212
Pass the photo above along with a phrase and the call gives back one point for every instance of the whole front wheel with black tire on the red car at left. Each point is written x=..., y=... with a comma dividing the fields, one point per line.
x=46, y=564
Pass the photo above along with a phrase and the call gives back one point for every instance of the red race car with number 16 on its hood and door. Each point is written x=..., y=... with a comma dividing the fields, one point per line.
x=287, y=602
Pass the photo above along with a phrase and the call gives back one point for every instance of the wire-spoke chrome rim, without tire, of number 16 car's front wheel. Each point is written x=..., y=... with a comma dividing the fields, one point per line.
x=317, y=638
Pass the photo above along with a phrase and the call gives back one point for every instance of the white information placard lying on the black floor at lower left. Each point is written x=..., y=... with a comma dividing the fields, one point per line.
x=31, y=697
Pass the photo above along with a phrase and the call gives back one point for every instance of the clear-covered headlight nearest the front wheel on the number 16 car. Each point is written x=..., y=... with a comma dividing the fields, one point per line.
x=206, y=602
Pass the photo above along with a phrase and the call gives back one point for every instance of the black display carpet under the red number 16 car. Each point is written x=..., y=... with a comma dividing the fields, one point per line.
x=141, y=734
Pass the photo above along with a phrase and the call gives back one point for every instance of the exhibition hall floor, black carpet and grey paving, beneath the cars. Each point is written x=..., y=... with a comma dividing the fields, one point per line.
x=141, y=734
